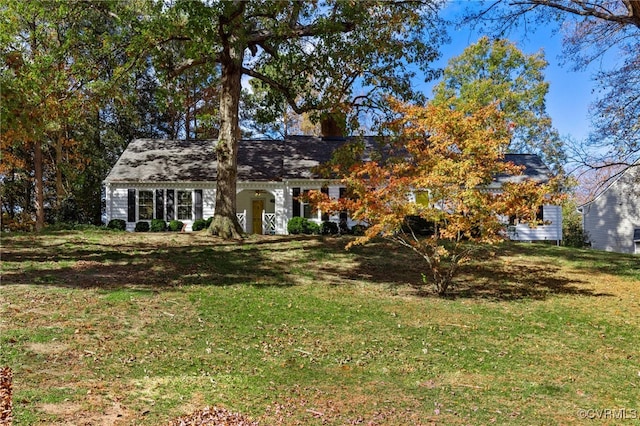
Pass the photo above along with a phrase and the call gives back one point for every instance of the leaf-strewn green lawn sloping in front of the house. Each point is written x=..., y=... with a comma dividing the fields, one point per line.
x=116, y=328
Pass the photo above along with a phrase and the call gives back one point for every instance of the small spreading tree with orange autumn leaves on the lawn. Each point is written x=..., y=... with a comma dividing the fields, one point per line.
x=447, y=159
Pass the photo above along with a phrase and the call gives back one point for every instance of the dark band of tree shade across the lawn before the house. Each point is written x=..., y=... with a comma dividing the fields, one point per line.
x=162, y=262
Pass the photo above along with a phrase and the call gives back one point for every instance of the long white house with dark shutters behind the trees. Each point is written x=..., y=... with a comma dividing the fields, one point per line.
x=176, y=179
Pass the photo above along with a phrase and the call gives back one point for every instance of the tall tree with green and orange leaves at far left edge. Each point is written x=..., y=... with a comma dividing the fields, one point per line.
x=51, y=78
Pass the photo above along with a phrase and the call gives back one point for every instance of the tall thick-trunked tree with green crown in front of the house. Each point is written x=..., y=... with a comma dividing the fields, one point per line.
x=310, y=54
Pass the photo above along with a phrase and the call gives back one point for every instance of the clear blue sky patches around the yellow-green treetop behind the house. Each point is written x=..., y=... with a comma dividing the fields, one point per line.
x=570, y=92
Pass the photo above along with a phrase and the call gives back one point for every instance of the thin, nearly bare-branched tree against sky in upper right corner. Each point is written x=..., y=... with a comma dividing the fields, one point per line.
x=594, y=32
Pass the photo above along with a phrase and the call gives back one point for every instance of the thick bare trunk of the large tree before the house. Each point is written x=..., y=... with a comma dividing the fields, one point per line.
x=225, y=222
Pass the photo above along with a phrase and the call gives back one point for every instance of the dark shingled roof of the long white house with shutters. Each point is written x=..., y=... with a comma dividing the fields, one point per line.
x=163, y=160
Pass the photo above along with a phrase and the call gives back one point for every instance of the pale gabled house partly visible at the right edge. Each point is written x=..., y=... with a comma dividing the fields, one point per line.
x=612, y=219
